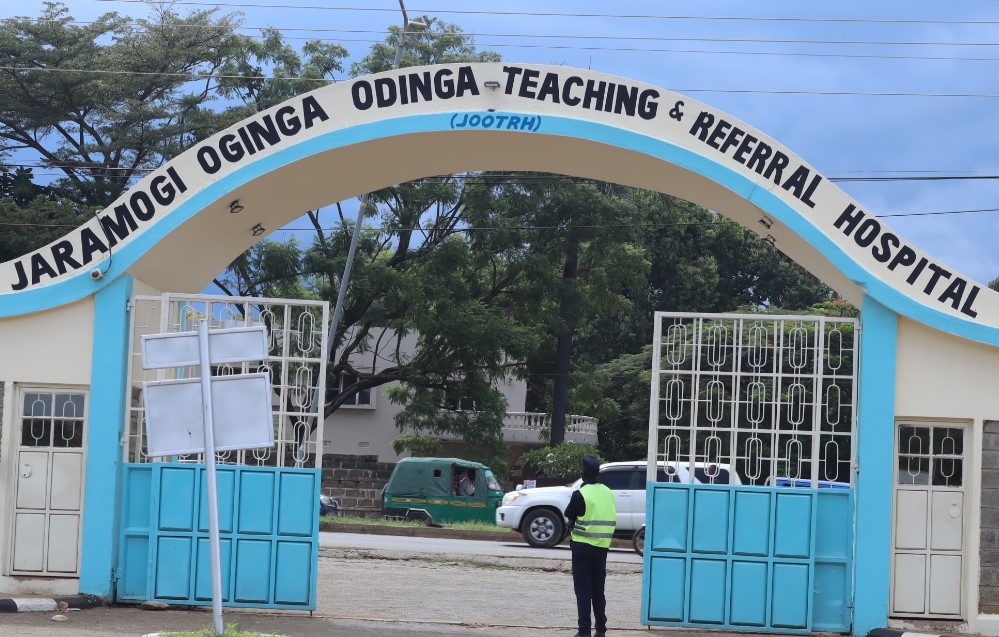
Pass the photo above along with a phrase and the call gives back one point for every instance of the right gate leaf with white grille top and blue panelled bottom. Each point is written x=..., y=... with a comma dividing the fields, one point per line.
x=755, y=416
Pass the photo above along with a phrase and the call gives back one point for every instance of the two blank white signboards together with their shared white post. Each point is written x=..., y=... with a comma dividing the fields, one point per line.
x=242, y=408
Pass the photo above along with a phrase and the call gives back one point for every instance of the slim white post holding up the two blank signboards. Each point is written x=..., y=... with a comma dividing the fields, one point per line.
x=211, y=485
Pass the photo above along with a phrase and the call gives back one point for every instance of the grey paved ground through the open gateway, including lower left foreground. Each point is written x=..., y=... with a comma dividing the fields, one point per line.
x=428, y=592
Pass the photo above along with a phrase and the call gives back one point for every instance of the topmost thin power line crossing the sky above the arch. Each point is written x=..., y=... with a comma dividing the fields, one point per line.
x=622, y=16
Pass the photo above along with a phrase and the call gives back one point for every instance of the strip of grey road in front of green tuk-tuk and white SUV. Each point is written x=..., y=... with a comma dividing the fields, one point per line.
x=458, y=547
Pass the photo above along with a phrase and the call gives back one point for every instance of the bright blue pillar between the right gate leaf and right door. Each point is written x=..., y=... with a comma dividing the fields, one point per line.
x=875, y=439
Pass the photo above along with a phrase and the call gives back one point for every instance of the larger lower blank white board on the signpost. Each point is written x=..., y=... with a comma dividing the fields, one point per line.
x=241, y=415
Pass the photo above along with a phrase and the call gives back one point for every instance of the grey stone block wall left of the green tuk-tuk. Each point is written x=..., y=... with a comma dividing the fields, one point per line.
x=356, y=482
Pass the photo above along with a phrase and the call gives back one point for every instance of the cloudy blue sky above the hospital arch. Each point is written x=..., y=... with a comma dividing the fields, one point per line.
x=738, y=65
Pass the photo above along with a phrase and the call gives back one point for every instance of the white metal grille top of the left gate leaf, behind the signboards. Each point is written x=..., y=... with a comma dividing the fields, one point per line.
x=297, y=341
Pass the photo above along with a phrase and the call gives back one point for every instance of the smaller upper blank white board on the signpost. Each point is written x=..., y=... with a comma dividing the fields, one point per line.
x=181, y=349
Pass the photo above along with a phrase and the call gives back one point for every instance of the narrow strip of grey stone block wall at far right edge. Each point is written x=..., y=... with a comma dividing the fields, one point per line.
x=988, y=574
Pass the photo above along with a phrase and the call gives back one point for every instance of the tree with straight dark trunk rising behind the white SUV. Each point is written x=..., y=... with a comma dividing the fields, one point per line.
x=577, y=235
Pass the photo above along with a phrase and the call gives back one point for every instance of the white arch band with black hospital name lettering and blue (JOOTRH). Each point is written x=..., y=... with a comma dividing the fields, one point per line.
x=566, y=92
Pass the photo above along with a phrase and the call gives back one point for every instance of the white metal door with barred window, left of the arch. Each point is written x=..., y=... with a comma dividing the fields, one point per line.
x=48, y=496
